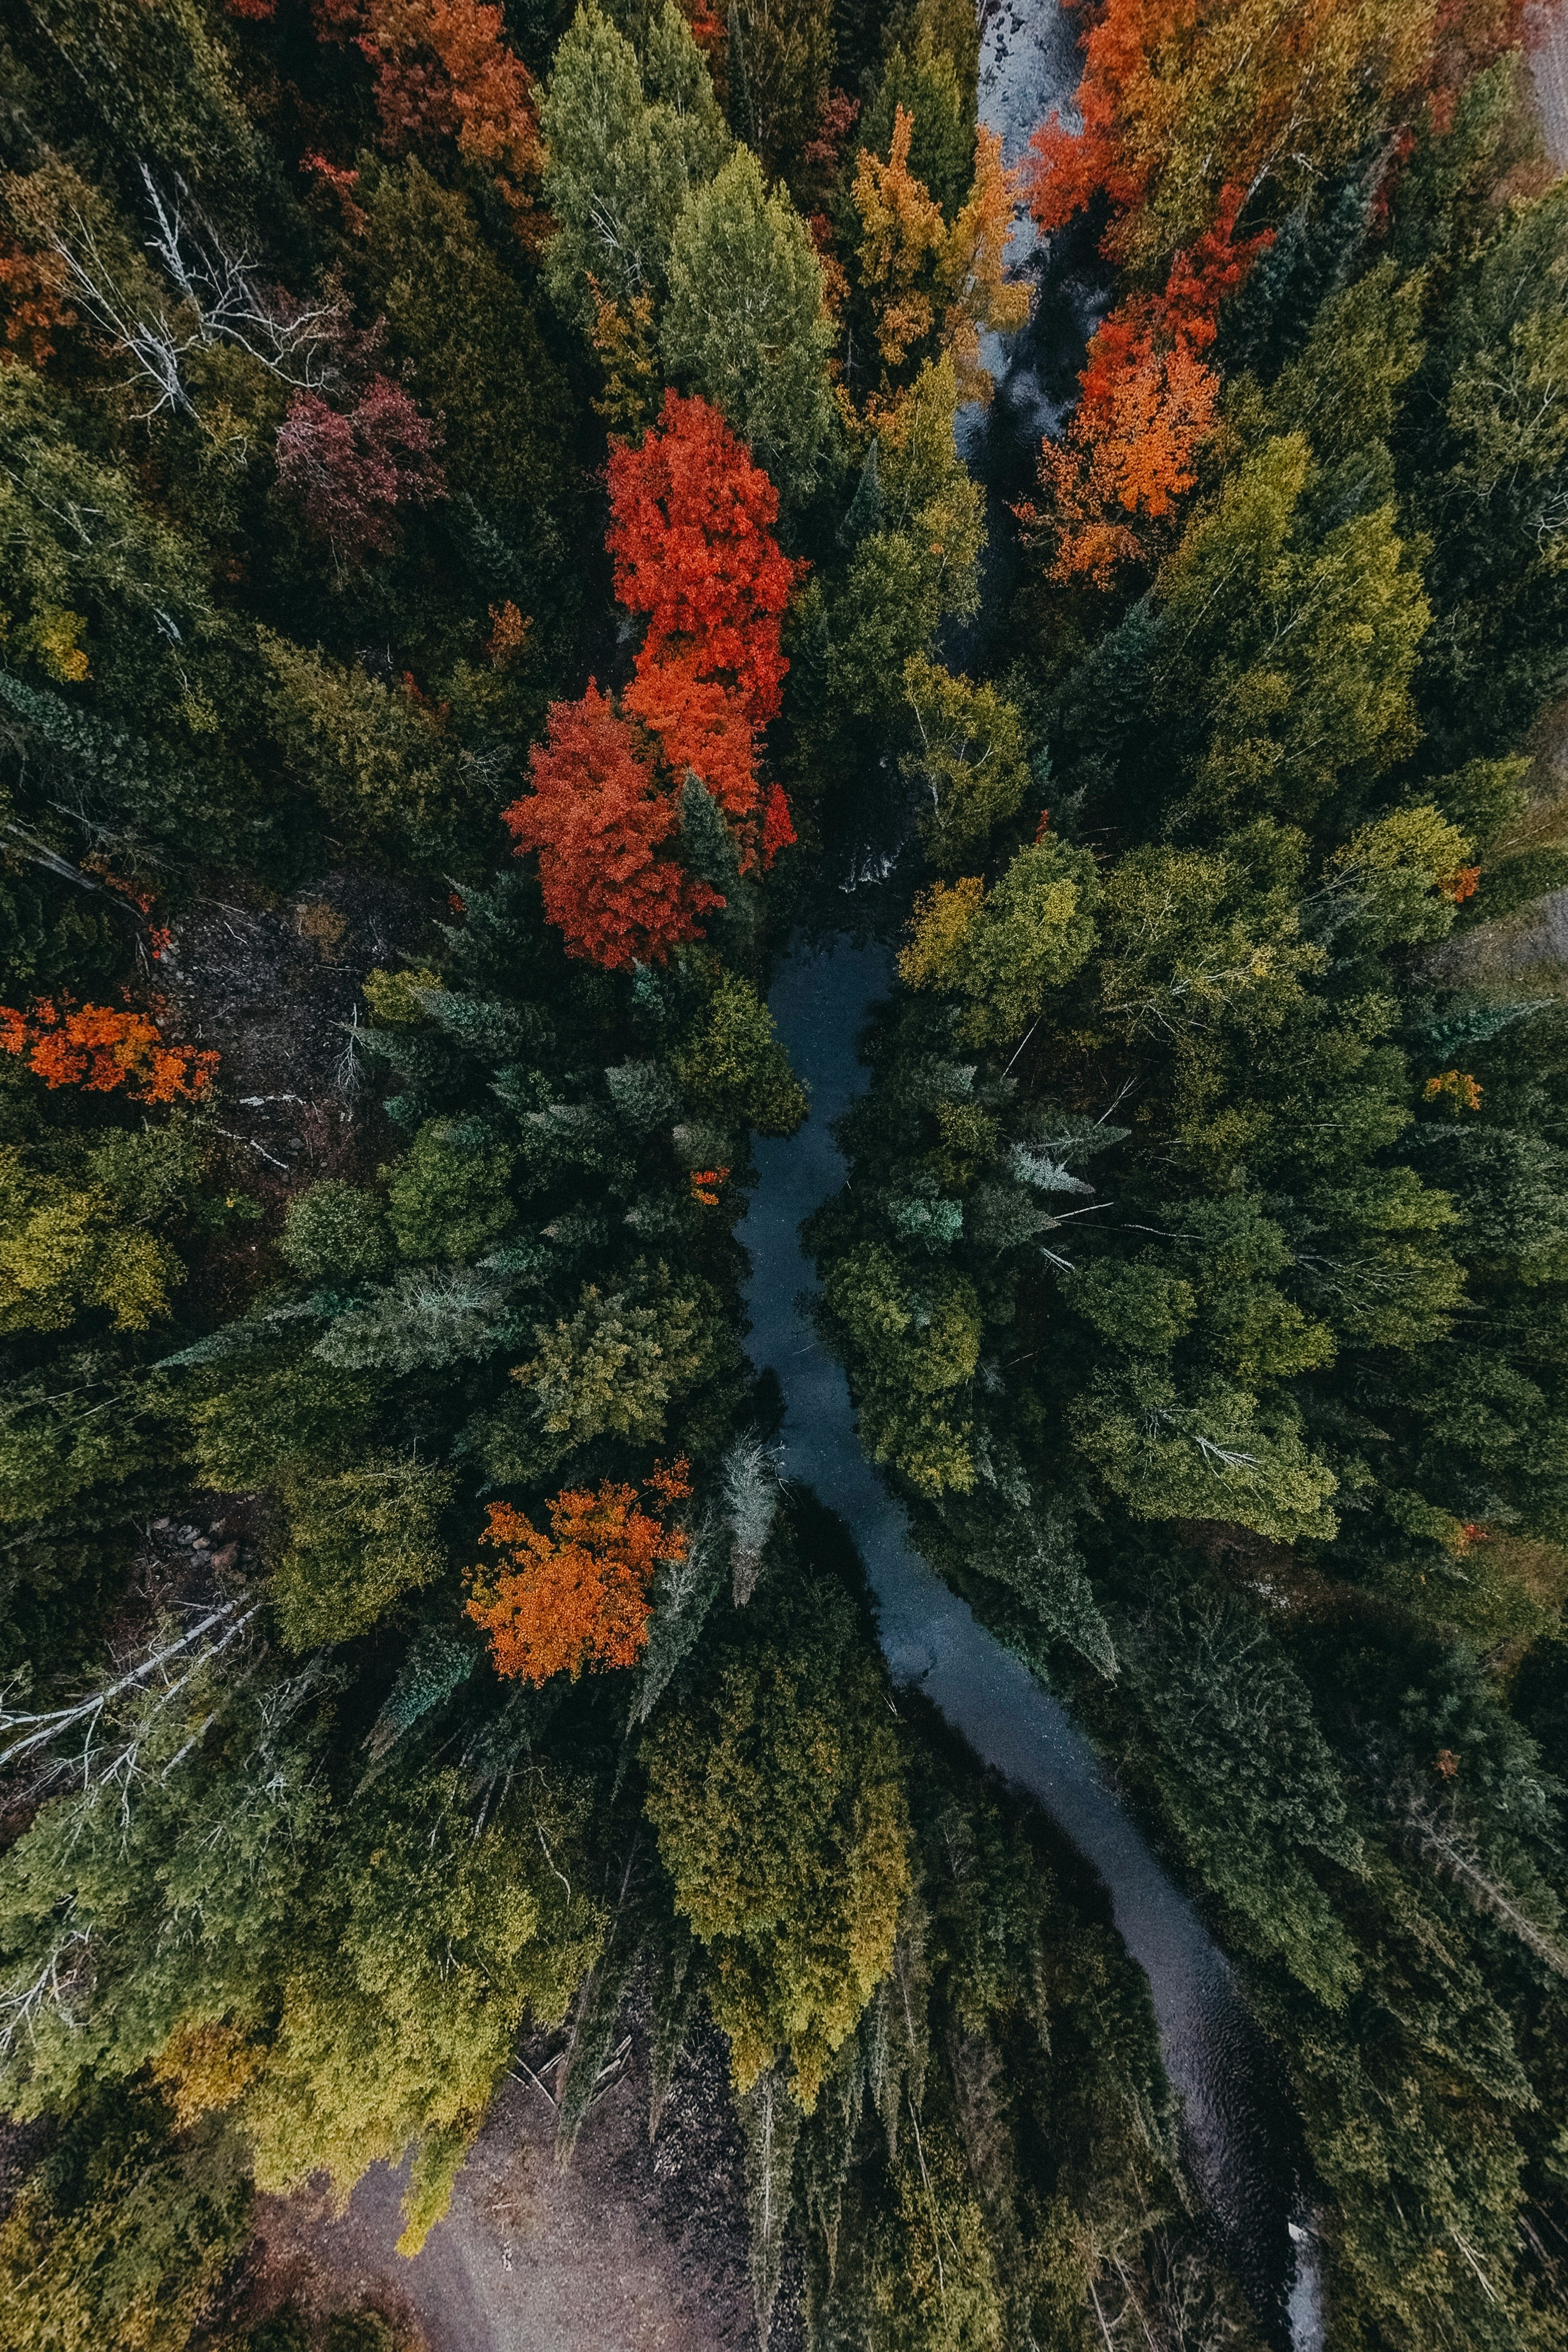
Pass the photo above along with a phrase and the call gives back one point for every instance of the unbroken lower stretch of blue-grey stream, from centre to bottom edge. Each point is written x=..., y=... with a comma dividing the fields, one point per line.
x=1212, y=2047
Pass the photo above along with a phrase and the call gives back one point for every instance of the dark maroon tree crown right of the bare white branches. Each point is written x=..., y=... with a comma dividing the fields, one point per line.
x=349, y=474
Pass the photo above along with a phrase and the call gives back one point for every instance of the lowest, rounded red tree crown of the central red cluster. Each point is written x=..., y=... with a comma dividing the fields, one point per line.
x=598, y=822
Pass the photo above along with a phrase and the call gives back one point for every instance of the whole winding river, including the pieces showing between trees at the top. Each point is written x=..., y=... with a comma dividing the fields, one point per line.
x=1228, y=2085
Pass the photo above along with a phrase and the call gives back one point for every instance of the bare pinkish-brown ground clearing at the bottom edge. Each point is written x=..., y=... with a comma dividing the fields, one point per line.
x=634, y=2250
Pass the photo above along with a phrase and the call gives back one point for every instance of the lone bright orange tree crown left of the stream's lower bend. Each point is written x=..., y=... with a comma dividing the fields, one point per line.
x=579, y=1596
